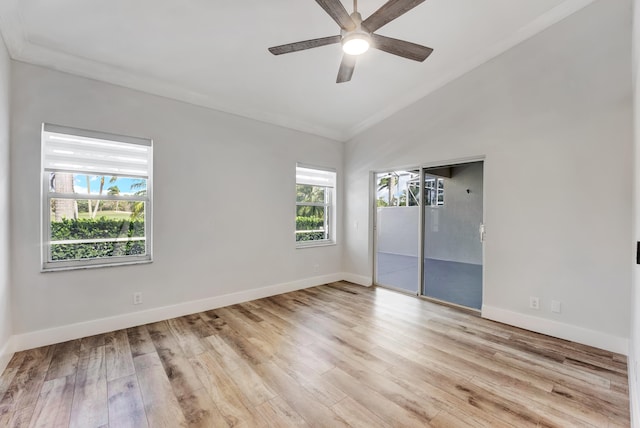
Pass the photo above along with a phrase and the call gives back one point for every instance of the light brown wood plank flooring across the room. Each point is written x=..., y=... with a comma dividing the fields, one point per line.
x=337, y=355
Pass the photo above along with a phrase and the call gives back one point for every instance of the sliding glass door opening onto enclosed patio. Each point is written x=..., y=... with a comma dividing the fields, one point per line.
x=429, y=232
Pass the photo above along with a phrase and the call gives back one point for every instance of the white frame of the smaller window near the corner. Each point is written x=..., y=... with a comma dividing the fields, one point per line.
x=329, y=206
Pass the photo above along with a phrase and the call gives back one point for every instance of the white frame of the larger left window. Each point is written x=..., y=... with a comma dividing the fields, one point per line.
x=46, y=196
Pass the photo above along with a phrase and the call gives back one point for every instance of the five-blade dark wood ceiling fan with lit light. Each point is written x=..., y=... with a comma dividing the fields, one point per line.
x=357, y=35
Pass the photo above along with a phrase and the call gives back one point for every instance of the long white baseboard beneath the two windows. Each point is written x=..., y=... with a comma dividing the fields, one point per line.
x=104, y=325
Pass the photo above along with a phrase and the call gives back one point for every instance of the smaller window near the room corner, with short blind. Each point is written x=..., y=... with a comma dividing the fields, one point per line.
x=315, y=206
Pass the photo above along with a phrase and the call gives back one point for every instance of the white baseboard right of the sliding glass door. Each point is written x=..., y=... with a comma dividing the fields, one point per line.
x=557, y=329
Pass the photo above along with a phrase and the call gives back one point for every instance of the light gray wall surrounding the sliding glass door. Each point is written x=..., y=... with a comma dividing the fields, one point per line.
x=551, y=111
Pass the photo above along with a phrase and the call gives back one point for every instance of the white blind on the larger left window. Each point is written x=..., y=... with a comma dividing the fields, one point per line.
x=89, y=152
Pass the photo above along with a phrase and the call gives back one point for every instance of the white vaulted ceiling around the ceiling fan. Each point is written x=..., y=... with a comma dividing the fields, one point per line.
x=214, y=52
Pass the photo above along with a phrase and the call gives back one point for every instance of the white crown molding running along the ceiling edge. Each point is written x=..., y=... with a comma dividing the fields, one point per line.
x=21, y=49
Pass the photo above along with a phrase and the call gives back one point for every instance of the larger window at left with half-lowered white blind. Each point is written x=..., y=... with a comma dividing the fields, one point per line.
x=96, y=204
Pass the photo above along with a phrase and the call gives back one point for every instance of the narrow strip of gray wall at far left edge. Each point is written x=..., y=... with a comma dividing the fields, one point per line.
x=5, y=295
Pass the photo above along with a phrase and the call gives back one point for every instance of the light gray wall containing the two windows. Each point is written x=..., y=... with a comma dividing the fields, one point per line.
x=224, y=202
